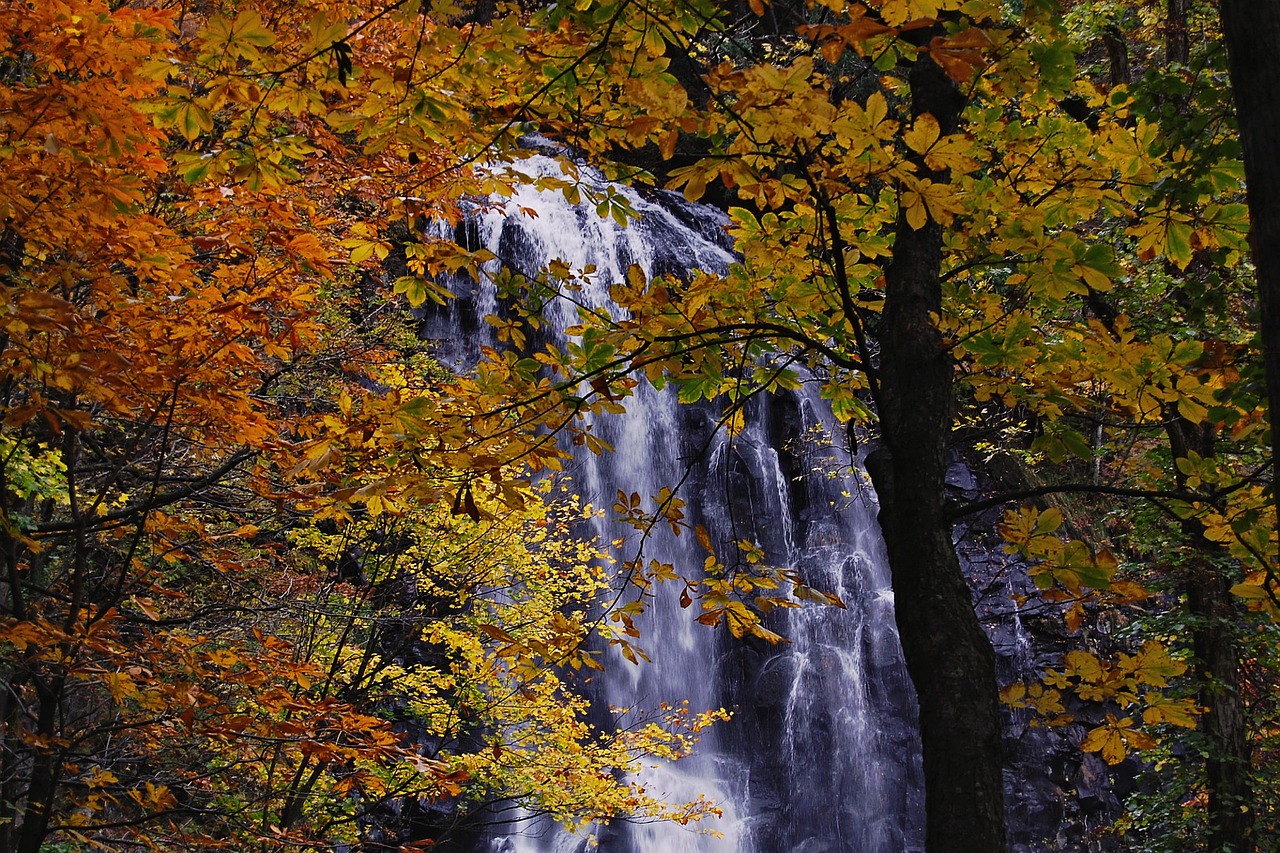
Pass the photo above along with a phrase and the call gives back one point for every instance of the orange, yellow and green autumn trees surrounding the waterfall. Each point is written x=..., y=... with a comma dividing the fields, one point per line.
x=237, y=491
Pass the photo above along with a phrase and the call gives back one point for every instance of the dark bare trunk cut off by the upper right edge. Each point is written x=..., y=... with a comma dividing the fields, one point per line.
x=1252, y=34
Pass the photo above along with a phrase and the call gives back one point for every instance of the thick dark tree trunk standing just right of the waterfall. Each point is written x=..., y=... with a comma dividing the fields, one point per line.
x=948, y=655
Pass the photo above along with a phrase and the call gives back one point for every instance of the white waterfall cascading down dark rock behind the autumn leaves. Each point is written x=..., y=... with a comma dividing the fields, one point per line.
x=821, y=755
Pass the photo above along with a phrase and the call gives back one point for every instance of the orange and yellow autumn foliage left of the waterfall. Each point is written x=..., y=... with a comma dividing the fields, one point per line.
x=234, y=516
